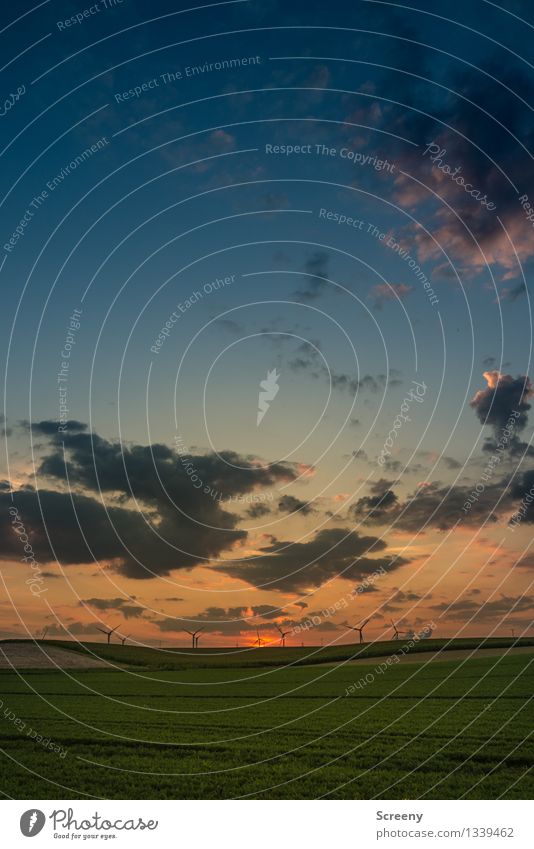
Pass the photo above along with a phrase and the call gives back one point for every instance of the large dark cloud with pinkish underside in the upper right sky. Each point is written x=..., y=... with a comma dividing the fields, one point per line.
x=478, y=132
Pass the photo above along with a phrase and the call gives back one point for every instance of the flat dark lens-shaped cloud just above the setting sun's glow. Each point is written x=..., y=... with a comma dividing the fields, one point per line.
x=301, y=566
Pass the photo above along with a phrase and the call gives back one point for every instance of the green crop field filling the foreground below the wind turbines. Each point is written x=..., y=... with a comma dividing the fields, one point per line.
x=445, y=729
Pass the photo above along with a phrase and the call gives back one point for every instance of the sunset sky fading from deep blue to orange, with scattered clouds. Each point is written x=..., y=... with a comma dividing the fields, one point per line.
x=266, y=320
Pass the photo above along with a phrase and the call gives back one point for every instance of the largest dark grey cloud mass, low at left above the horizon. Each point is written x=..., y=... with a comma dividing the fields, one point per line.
x=179, y=527
